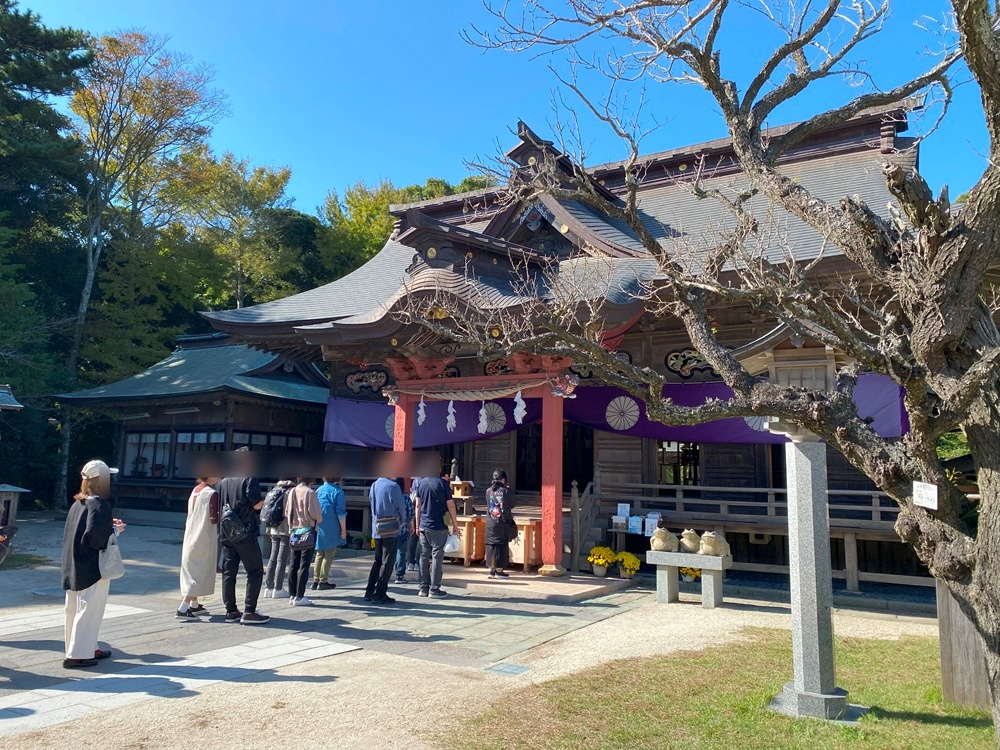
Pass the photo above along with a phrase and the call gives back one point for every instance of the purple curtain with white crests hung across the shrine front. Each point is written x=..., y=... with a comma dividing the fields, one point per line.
x=369, y=424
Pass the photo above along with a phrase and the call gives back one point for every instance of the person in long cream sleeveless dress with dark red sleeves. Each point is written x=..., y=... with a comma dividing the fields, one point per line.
x=198, y=555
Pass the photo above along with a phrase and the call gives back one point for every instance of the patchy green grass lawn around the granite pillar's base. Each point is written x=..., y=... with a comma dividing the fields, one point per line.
x=719, y=699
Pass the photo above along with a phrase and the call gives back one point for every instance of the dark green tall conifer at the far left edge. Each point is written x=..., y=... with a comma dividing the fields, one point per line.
x=40, y=170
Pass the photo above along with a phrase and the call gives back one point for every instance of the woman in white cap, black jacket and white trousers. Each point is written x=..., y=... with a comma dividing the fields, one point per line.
x=89, y=526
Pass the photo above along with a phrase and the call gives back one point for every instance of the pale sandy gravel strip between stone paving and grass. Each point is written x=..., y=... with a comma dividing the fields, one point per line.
x=365, y=699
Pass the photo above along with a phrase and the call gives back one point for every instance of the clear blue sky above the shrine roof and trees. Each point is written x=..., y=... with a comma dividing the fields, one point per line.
x=342, y=91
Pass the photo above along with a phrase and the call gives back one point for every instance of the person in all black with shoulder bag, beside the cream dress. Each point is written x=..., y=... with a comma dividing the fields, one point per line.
x=242, y=494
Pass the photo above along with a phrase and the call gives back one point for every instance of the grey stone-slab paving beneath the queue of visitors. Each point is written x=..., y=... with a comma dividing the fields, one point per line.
x=157, y=655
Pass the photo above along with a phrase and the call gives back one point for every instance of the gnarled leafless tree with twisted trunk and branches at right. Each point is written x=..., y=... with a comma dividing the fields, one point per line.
x=915, y=309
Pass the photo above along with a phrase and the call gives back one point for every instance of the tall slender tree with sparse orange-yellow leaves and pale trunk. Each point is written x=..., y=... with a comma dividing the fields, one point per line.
x=140, y=107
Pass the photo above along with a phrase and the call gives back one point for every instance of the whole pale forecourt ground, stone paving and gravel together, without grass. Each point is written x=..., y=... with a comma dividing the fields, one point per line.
x=426, y=661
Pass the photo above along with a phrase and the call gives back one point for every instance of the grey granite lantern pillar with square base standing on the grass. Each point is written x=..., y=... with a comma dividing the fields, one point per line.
x=813, y=692
